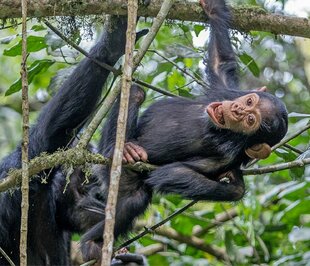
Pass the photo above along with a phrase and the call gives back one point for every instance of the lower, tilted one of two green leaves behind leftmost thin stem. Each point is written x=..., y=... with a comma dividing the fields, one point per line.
x=36, y=68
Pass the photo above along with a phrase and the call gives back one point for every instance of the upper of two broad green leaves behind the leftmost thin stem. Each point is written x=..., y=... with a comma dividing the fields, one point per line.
x=34, y=44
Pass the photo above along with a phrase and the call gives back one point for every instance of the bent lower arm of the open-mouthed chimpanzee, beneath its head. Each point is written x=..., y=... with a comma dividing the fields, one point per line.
x=189, y=180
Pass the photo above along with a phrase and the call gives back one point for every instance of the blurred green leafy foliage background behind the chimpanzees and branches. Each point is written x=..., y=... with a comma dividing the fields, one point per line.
x=271, y=224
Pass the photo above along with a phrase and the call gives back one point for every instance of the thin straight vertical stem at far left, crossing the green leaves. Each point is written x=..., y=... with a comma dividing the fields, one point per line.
x=25, y=142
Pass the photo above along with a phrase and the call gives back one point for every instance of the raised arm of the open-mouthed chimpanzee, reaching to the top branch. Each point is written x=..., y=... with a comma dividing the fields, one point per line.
x=221, y=63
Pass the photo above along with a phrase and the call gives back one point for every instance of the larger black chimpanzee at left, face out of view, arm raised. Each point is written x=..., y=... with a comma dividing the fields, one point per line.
x=52, y=217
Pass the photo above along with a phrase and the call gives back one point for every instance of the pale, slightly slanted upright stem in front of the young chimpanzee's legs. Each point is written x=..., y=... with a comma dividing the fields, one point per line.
x=116, y=167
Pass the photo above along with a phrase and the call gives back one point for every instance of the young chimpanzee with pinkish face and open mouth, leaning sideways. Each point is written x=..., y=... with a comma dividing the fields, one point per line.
x=199, y=145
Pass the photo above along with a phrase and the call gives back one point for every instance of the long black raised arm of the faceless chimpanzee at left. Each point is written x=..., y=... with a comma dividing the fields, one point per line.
x=76, y=98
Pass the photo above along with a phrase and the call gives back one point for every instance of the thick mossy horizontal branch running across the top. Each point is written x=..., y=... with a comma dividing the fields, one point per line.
x=244, y=18
